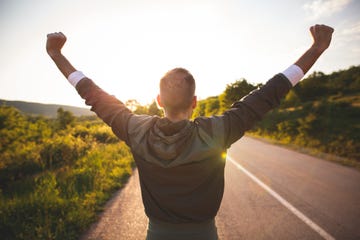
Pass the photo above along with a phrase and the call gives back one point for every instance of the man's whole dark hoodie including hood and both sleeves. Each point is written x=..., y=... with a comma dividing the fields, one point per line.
x=181, y=164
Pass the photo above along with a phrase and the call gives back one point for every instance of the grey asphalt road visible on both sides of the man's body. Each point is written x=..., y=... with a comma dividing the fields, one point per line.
x=281, y=194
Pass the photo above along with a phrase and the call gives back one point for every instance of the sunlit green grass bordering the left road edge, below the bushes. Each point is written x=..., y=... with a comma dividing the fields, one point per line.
x=63, y=202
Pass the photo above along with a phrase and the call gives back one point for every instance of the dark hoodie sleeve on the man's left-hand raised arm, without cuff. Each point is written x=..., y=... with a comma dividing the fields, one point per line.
x=111, y=110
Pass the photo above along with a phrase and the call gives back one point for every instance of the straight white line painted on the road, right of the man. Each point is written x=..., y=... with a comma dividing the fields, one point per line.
x=285, y=203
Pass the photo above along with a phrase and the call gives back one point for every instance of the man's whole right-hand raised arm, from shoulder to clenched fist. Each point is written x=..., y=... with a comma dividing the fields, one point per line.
x=245, y=113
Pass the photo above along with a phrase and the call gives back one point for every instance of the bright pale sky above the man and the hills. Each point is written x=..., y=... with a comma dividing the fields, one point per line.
x=126, y=46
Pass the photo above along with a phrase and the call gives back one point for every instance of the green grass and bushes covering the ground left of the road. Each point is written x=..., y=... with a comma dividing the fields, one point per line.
x=55, y=174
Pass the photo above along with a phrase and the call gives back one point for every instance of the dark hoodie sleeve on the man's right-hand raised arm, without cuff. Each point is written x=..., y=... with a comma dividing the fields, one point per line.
x=243, y=114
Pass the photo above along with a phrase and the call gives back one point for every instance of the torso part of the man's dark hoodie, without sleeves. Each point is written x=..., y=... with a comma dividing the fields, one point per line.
x=181, y=169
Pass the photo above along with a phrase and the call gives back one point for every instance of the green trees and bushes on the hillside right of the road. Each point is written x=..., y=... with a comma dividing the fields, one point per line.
x=321, y=115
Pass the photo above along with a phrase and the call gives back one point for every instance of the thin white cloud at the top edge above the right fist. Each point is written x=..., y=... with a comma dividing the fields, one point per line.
x=325, y=8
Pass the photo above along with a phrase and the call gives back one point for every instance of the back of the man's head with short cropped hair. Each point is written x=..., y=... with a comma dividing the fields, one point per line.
x=177, y=90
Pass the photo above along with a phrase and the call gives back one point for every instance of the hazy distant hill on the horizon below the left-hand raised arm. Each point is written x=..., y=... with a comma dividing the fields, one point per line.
x=48, y=110
